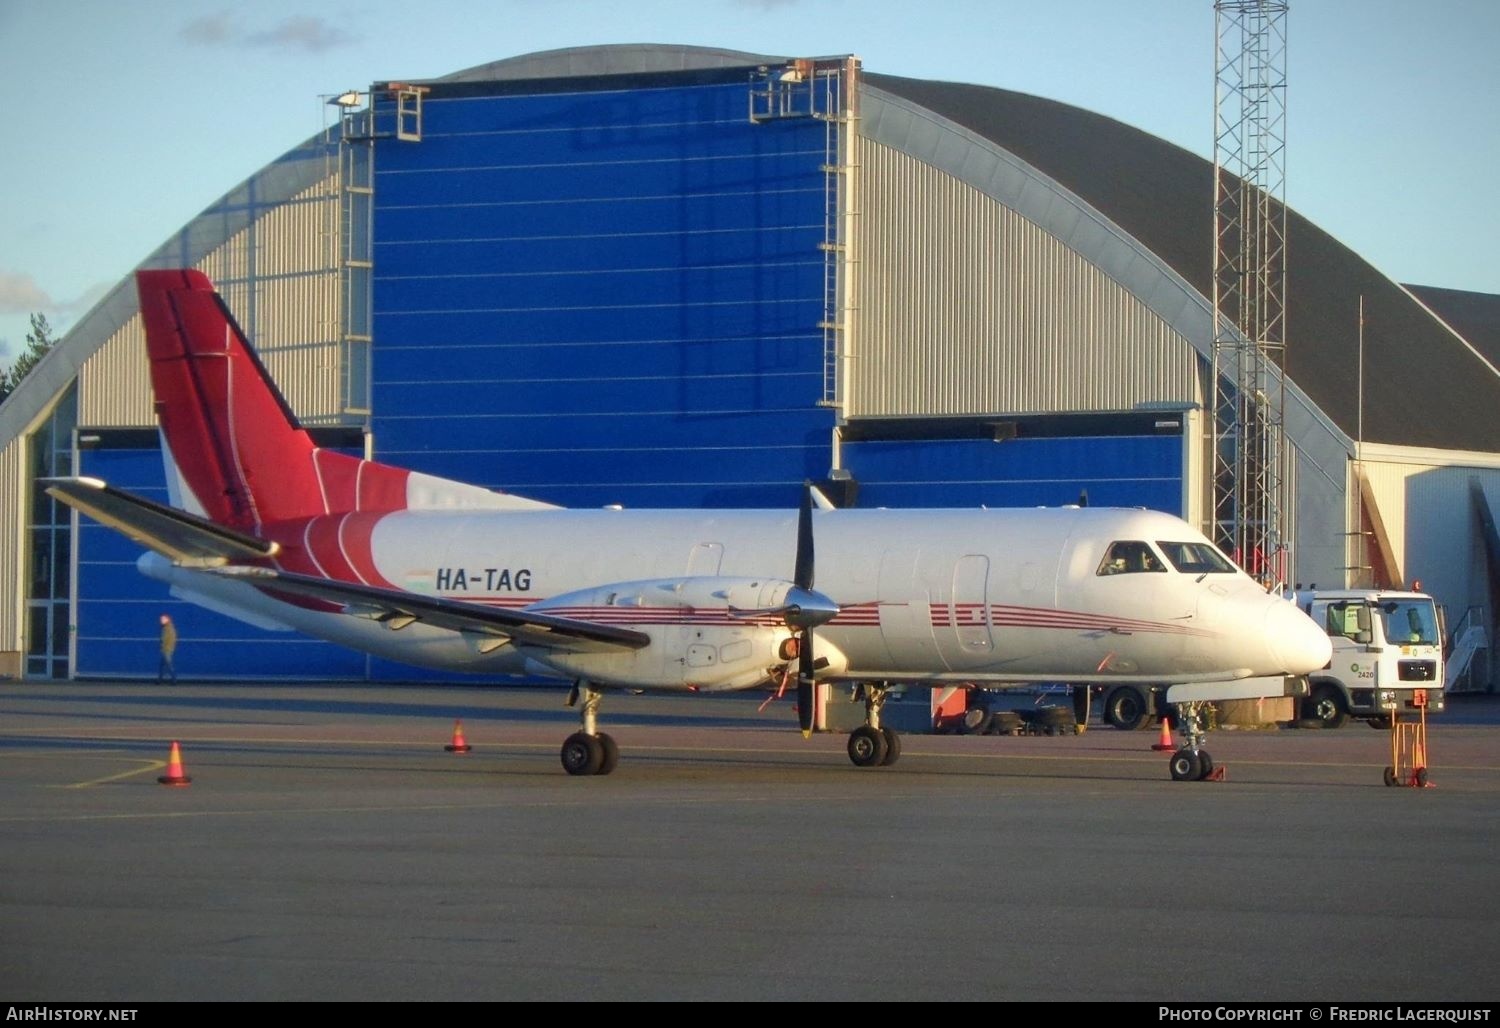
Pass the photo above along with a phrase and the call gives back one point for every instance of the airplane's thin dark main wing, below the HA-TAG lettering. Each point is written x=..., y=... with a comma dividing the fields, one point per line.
x=398, y=610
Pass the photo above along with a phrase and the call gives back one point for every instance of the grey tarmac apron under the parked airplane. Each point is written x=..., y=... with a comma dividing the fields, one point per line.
x=331, y=849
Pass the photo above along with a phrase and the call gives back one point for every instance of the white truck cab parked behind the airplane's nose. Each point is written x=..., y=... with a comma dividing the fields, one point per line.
x=1388, y=646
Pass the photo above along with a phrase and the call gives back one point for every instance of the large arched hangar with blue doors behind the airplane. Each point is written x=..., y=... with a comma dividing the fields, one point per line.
x=688, y=277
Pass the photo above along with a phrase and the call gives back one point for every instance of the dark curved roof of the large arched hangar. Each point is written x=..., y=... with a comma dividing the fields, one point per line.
x=1423, y=380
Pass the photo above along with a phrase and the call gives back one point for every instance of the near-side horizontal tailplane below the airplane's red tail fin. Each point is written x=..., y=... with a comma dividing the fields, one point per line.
x=178, y=535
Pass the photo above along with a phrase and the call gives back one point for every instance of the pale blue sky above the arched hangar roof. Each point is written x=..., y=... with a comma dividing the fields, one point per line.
x=127, y=118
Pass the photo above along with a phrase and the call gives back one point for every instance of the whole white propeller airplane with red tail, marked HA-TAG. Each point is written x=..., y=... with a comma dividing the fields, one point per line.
x=277, y=532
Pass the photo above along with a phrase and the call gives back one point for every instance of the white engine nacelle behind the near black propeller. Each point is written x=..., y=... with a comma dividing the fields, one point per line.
x=707, y=634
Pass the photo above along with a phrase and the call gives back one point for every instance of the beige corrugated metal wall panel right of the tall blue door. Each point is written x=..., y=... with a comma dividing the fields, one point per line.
x=967, y=308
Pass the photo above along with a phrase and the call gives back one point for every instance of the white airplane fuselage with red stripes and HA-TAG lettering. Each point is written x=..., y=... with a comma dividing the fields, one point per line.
x=923, y=595
